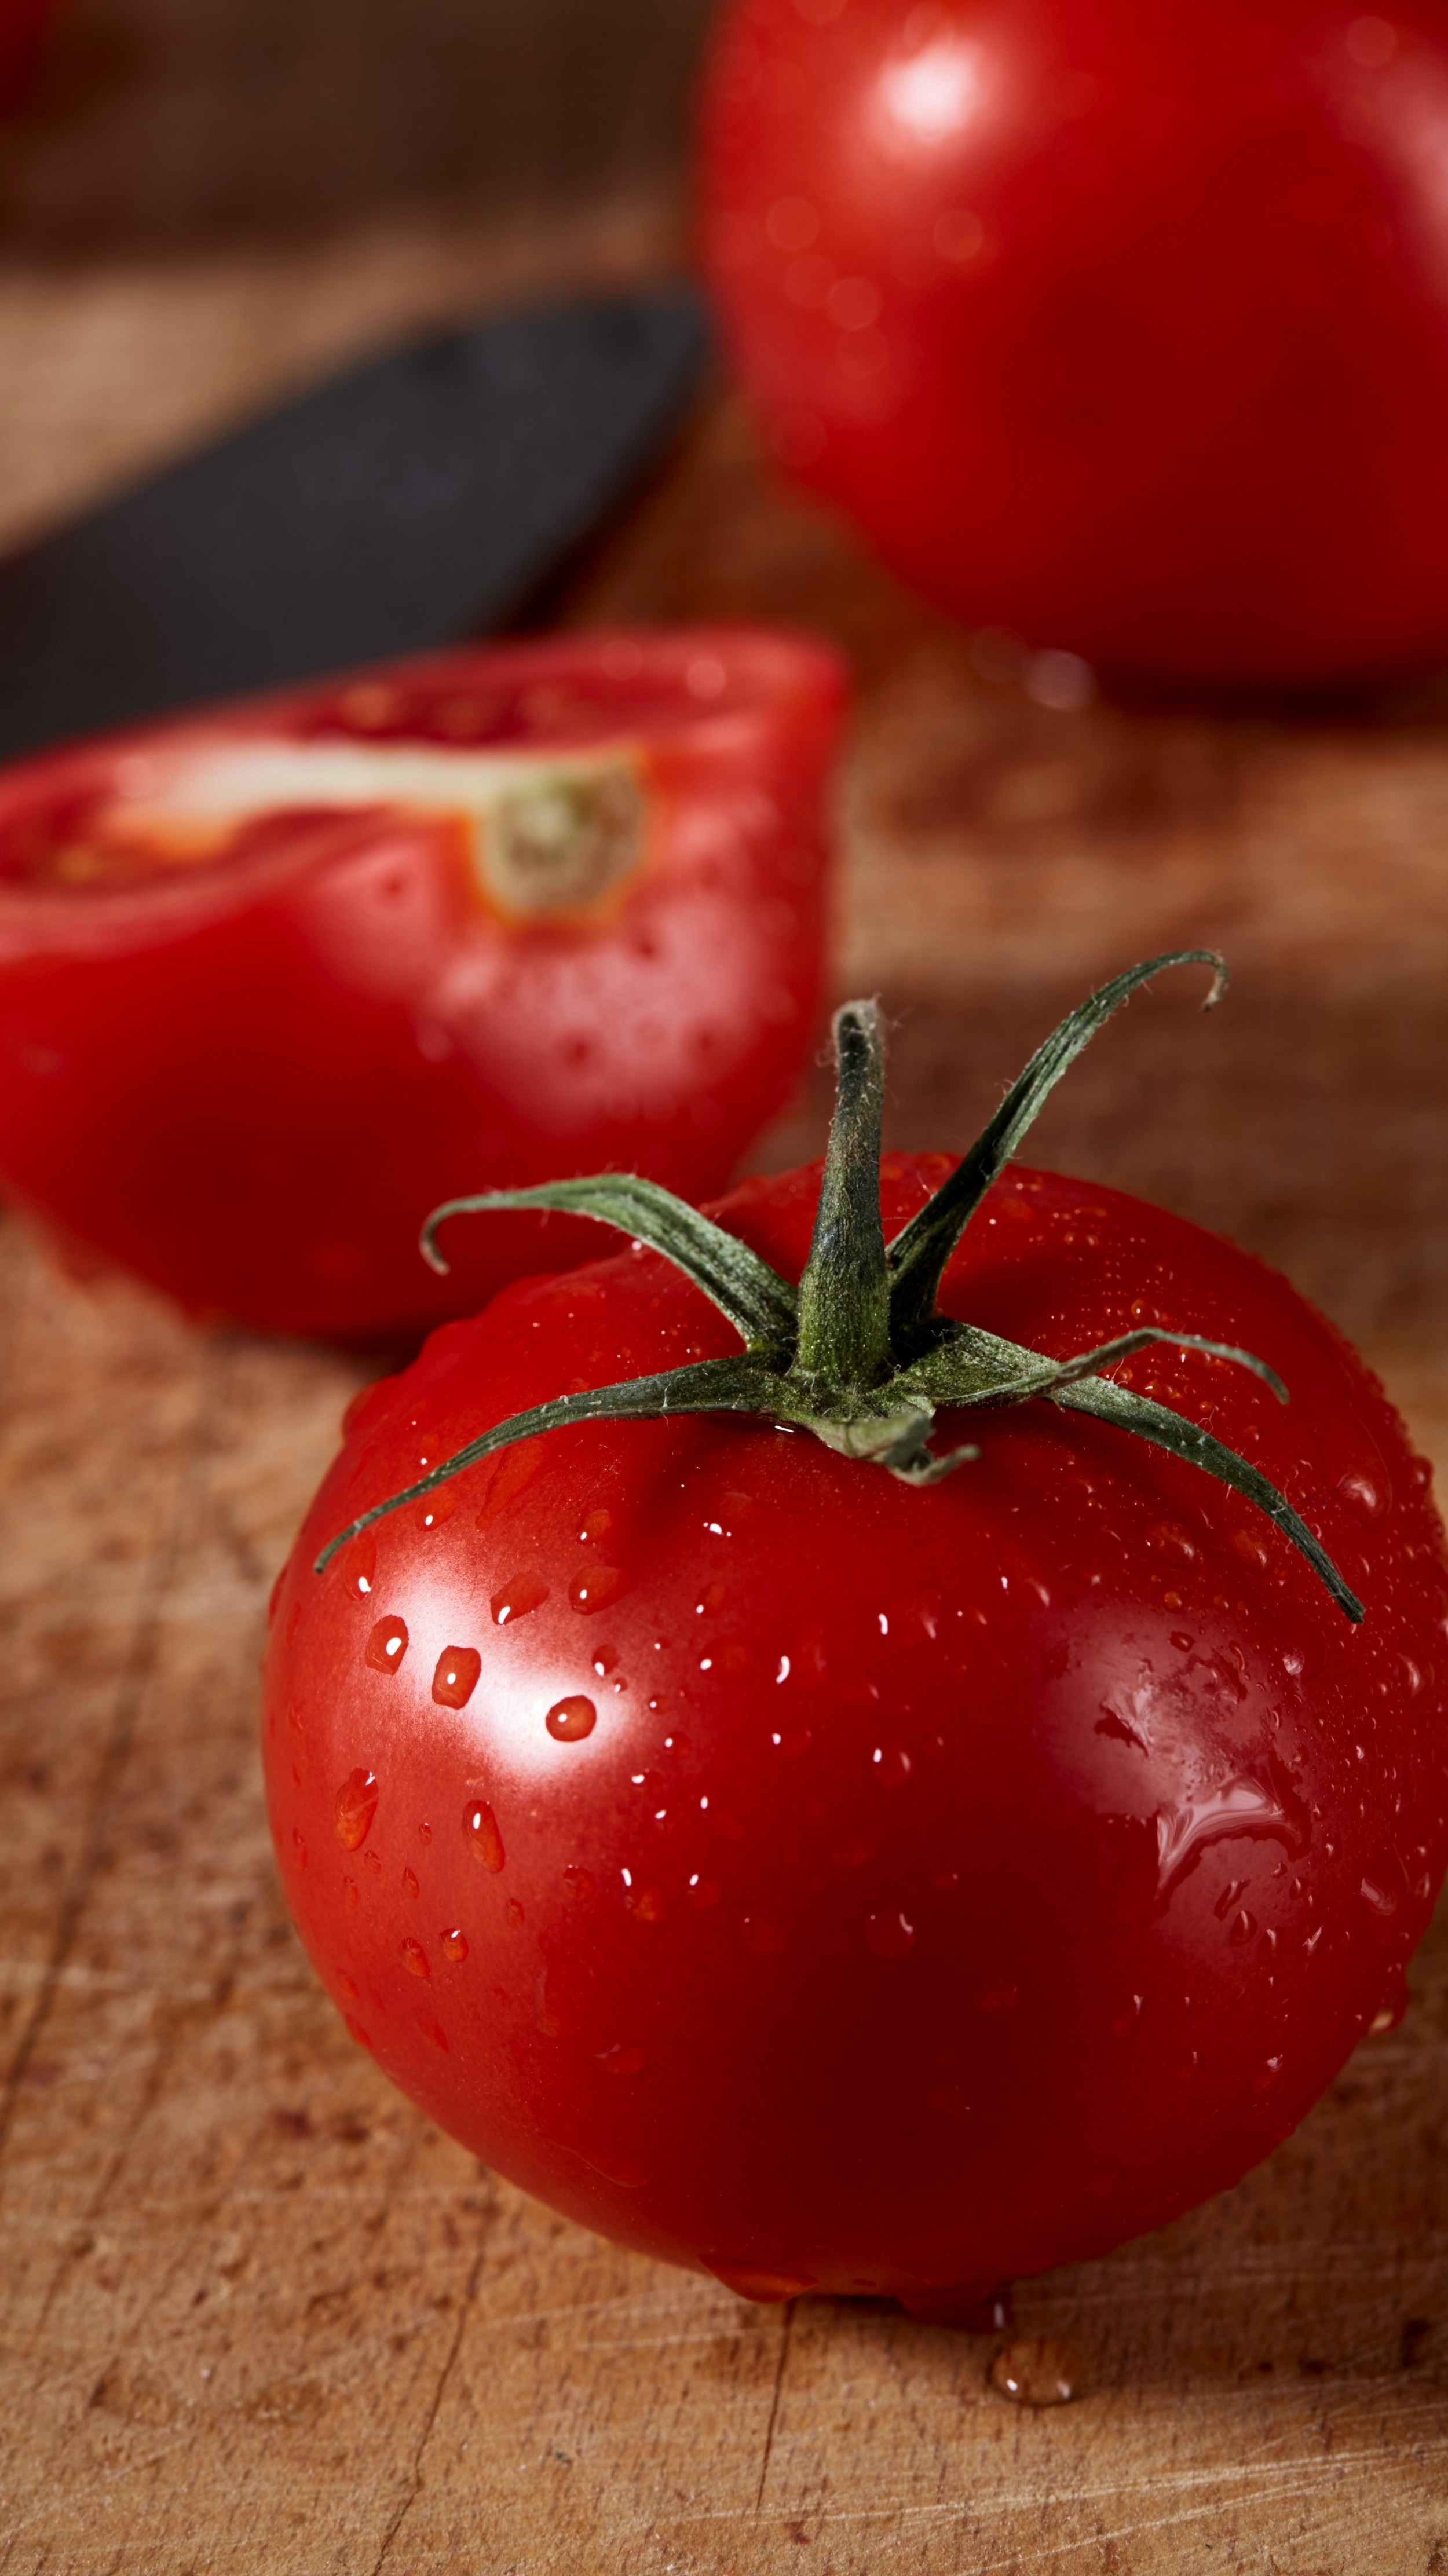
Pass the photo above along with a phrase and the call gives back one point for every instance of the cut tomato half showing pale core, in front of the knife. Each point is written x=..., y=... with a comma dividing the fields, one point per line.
x=277, y=980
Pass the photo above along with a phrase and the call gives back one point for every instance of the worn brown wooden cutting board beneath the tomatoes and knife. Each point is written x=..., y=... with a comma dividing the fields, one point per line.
x=256, y=2315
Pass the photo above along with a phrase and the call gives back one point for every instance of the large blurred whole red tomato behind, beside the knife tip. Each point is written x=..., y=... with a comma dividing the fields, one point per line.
x=1117, y=326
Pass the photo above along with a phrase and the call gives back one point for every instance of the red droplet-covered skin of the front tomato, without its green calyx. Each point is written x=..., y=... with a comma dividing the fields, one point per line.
x=949, y=1882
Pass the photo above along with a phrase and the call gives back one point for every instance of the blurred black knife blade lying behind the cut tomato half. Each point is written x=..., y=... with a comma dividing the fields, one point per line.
x=416, y=501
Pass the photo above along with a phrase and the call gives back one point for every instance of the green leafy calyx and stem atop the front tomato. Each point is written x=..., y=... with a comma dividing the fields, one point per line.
x=859, y=1354
